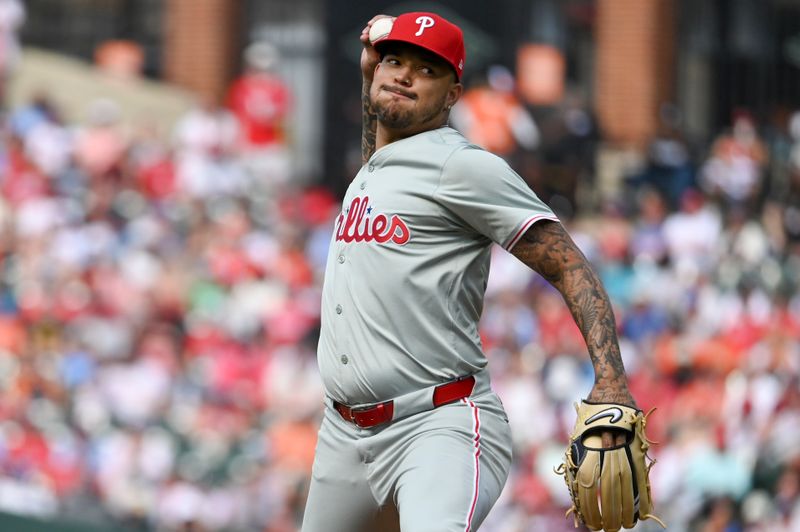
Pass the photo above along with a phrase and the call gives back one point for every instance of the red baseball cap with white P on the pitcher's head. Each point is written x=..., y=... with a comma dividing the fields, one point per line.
x=432, y=32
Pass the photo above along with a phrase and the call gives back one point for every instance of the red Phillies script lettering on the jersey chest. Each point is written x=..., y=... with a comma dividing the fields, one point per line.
x=357, y=225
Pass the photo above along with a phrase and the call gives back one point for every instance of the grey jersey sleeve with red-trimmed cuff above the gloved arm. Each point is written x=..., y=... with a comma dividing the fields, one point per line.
x=487, y=194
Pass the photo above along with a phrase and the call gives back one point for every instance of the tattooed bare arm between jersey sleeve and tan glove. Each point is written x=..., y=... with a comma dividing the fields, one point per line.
x=549, y=250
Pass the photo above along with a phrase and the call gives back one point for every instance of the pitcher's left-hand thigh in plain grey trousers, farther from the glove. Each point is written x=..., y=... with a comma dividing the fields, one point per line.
x=339, y=498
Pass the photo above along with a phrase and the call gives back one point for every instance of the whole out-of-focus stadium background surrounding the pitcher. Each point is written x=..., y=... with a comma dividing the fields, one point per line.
x=169, y=173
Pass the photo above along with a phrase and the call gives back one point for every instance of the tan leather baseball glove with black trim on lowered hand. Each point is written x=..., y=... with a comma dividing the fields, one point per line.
x=610, y=488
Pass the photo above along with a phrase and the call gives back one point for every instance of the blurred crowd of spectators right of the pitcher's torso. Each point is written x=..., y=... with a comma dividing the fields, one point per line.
x=706, y=295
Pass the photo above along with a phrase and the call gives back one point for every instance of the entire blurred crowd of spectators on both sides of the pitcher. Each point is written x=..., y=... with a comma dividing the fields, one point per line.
x=159, y=313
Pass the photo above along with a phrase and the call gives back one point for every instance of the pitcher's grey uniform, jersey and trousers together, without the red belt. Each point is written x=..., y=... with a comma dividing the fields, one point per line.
x=403, y=295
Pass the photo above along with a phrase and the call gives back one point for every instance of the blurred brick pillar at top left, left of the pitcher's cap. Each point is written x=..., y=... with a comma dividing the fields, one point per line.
x=202, y=44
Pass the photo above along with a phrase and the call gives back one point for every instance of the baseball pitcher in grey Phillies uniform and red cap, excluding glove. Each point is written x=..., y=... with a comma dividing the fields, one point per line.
x=413, y=438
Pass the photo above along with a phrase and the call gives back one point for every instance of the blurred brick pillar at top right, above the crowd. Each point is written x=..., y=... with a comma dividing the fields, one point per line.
x=634, y=66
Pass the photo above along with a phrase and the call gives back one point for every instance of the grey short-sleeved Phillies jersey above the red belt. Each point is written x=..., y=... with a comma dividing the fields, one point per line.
x=408, y=265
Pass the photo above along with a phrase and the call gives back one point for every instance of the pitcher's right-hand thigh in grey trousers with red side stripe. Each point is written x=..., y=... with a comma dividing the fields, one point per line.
x=454, y=468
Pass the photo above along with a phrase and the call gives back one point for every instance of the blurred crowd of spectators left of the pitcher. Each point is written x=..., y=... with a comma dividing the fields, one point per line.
x=159, y=305
